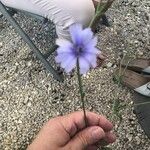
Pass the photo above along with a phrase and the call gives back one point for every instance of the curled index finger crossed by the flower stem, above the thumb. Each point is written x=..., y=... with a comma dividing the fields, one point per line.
x=74, y=122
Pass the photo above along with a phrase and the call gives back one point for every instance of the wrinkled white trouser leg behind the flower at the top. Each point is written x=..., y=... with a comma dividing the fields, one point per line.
x=62, y=12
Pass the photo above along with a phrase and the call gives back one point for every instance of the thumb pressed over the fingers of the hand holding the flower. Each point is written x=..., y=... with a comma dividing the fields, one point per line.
x=86, y=137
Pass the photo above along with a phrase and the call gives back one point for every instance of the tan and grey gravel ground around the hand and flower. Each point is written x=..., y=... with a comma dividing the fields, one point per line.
x=29, y=96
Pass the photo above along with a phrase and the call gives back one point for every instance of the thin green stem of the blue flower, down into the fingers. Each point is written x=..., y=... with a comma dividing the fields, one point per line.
x=81, y=92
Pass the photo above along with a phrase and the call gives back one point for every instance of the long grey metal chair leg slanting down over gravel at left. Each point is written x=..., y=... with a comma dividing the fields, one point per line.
x=27, y=39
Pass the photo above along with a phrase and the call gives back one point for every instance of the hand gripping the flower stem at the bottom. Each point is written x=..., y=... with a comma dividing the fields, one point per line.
x=70, y=133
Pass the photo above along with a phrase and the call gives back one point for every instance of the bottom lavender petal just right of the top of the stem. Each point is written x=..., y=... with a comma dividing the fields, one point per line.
x=84, y=65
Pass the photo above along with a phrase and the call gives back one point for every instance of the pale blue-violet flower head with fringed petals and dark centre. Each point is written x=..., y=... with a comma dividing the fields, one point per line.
x=81, y=47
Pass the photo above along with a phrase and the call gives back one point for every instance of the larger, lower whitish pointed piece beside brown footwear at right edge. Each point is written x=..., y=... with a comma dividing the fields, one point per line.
x=144, y=89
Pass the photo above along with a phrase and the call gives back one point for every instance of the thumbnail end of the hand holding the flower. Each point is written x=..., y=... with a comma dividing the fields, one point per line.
x=97, y=133
